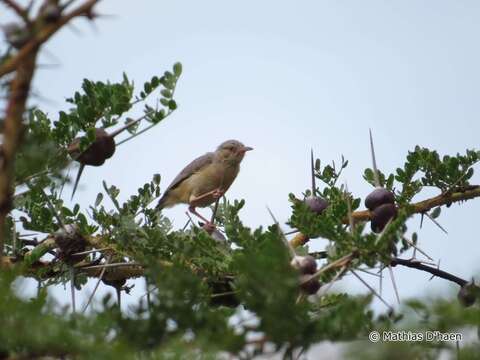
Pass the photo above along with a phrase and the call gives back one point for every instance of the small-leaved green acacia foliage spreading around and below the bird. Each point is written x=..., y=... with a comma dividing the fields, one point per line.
x=207, y=297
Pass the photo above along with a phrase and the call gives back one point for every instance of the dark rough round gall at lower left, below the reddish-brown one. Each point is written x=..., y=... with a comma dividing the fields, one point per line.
x=70, y=241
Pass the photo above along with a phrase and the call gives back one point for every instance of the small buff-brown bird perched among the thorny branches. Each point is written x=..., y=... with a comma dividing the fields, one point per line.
x=206, y=178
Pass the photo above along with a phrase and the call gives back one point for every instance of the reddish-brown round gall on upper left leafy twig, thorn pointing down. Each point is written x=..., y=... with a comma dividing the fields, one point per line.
x=100, y=150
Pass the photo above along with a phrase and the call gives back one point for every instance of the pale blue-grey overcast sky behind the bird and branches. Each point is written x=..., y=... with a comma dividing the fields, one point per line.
x=284, y=77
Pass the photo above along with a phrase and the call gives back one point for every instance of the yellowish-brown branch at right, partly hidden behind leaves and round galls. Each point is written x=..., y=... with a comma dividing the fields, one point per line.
x=420, y=207
